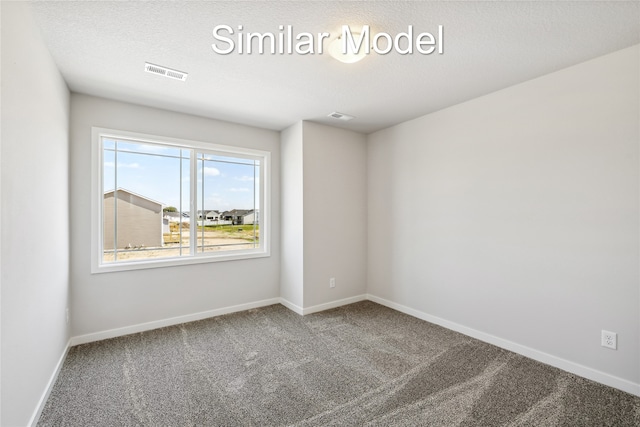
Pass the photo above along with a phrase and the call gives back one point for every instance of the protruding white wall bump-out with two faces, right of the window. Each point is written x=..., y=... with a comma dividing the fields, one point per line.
x=324, y=216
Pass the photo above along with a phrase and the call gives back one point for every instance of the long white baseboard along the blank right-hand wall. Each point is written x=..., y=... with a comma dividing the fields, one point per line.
x=565, y=365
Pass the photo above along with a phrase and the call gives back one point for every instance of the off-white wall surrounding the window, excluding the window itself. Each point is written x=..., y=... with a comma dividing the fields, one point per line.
x=108, y=301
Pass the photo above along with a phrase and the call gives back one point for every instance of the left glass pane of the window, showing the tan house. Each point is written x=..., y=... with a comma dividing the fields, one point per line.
x=143, y=201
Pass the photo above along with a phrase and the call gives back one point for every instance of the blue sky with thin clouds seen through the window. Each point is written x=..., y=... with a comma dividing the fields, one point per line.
x=153, y=171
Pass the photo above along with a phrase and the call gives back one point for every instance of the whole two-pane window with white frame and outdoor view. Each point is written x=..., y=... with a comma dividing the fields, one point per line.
x=162, y=201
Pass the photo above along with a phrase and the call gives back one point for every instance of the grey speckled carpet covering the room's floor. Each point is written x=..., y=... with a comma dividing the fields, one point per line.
x=362, y=364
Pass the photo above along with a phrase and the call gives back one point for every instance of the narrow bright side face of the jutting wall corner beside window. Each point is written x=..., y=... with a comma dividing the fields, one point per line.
x=292, y=215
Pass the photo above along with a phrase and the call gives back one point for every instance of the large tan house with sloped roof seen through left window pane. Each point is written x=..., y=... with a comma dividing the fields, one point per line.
x=139, y=222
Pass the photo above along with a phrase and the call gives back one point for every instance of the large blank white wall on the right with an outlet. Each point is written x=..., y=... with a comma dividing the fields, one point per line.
x=516, y=214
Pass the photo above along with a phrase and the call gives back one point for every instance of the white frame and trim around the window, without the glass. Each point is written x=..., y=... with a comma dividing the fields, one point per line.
x=97, y=199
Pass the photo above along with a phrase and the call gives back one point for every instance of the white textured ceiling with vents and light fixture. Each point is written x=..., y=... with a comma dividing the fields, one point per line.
x=101, y=47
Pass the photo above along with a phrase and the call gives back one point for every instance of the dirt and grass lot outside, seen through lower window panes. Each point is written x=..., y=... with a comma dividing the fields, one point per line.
x=224, y=239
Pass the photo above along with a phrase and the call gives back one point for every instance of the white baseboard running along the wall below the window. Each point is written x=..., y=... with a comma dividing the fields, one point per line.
x=141, y=327
